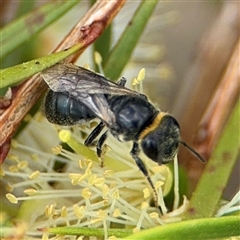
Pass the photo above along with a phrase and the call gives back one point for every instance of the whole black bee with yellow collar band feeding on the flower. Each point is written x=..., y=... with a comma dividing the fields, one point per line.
x=78, y=95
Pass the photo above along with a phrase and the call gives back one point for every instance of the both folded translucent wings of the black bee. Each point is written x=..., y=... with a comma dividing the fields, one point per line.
x=86, y=87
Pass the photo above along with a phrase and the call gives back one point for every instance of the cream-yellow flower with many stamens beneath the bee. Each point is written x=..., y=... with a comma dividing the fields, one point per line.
x=49, y=186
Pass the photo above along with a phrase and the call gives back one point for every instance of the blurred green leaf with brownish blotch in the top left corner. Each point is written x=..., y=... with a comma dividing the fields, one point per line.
x=17, y=32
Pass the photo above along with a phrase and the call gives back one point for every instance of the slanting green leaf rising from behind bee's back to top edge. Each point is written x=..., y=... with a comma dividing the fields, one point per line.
x=121, y=53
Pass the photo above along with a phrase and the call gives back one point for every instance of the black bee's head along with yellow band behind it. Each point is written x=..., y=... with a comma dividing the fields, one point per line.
x=160, y=141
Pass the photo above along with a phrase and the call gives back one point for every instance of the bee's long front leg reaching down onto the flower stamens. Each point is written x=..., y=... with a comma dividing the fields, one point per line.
x=134, y=153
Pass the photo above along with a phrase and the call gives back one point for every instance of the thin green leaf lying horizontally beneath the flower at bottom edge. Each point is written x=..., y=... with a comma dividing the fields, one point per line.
x=98, y=232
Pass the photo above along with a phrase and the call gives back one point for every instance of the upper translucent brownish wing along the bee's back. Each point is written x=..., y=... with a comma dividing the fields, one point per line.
x=69, y=77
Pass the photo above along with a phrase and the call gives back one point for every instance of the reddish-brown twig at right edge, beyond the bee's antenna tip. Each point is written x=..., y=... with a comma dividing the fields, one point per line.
x=220, y=107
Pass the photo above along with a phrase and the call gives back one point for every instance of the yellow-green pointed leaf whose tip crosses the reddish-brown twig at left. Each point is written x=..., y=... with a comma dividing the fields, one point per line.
x=18, y=73
